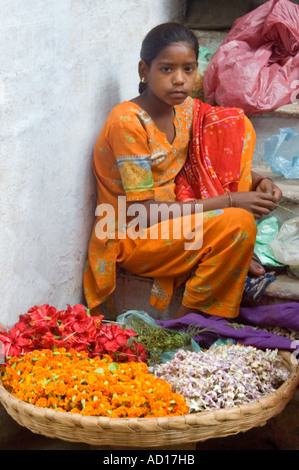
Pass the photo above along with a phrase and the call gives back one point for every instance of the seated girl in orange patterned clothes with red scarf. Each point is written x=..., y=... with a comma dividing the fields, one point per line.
x=141, y=154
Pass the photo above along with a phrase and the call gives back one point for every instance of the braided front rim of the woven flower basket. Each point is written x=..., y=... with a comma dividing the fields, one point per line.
x=284, y=392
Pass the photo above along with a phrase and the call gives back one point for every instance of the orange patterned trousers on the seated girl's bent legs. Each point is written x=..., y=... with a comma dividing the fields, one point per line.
x=214, y=274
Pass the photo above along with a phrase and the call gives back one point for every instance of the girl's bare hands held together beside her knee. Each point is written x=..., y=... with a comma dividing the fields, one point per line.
x=257, y=202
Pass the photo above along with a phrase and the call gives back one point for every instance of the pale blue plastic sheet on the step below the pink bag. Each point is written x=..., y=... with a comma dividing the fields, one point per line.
x=281, y=152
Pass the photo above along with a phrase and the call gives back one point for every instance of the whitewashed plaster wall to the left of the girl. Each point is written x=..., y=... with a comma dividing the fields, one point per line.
x=63, y=65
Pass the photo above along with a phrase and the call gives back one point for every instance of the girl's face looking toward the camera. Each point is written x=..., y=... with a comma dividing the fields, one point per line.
x=172, y=74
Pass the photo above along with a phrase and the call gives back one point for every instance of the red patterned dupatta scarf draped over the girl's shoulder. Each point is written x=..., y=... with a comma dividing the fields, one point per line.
x=215, y=150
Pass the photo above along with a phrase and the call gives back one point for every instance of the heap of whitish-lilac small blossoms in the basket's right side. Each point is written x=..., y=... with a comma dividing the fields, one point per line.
x=224, y=375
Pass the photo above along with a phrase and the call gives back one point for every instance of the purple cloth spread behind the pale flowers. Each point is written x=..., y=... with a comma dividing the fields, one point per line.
x=282, y=315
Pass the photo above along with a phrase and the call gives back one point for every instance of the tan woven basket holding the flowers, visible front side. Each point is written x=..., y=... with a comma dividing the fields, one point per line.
x=151, y=433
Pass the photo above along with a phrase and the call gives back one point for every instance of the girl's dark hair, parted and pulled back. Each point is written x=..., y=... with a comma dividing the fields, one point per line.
x=165, y=35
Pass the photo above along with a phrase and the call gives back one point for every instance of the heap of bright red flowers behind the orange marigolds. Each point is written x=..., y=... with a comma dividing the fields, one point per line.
x=45, y=327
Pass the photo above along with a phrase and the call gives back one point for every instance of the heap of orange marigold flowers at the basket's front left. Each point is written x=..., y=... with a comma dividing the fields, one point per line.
x=71, y=381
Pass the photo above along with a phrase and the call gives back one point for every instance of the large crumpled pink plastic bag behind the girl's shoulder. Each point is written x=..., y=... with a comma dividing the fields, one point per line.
x=257, y=66
